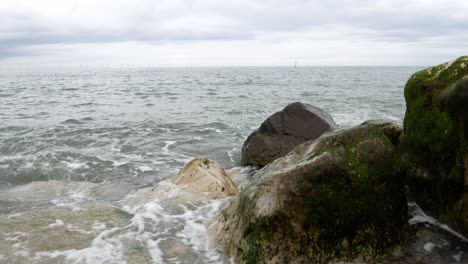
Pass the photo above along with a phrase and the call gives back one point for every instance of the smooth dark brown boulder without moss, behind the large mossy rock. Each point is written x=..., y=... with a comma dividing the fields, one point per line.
x=284, y=130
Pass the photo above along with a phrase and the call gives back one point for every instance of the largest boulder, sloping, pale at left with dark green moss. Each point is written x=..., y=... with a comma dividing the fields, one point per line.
x=338, y=198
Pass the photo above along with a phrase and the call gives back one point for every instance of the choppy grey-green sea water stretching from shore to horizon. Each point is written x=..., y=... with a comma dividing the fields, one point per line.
x=80, y=149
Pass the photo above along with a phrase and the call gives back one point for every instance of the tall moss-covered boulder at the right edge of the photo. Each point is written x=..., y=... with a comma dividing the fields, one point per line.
x=434, y=145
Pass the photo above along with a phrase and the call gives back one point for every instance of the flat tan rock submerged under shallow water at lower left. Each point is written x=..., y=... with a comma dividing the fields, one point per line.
x=44, y=229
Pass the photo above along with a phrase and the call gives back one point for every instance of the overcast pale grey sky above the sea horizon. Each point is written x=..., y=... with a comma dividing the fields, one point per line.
x=185, y=33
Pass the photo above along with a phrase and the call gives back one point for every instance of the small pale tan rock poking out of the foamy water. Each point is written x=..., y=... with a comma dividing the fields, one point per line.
x=206, y=176
